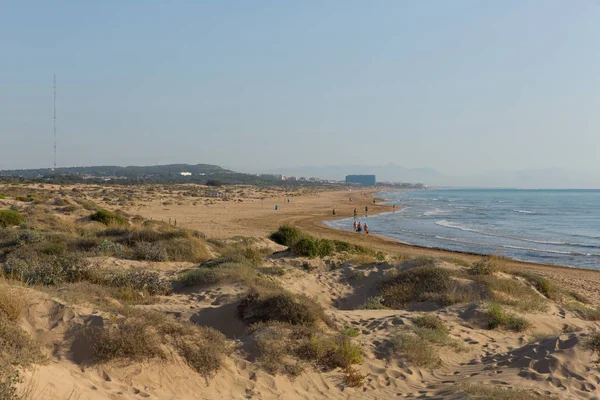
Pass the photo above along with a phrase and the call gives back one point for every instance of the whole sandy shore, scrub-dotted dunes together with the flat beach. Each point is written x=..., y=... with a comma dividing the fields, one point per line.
x=538, y=348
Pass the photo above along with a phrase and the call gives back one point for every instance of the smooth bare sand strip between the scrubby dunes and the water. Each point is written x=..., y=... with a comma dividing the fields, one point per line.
x=309, y=211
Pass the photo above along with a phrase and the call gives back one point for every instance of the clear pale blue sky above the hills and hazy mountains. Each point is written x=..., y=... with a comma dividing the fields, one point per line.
x=453, y=85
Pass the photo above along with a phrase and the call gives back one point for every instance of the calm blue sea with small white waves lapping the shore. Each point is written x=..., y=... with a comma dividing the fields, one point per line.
x=560, y=227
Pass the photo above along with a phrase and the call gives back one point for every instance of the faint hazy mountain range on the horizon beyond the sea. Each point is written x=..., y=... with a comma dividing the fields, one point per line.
x=550, y=178
